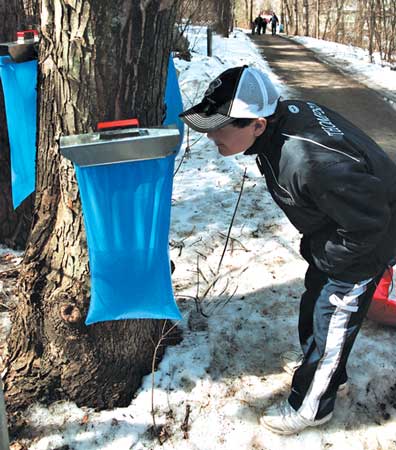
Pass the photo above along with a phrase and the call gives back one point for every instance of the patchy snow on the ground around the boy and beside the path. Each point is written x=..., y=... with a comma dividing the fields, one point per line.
x=210, y=391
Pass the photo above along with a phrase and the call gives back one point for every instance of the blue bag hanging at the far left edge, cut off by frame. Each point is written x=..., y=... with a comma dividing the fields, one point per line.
x=20, y=96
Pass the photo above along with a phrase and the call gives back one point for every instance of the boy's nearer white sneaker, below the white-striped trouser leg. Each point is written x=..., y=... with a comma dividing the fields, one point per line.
x=283, y=419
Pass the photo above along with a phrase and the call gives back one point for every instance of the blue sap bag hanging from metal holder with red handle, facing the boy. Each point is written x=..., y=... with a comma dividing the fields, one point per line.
x=125, y=179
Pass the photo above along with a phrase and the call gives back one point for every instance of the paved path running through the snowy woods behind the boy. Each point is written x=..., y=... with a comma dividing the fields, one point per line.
x=314, y=80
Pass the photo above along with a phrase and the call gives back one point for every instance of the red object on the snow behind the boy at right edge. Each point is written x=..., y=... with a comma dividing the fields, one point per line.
x=383, y=308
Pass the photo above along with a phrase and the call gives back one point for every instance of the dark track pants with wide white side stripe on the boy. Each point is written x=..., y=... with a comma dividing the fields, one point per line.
x=331, y=314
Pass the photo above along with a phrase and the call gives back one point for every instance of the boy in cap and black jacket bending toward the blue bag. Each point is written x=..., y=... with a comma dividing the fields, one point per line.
x=338, y=188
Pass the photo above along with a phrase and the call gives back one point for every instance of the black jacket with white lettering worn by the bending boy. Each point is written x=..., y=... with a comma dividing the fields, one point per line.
x=335, y=185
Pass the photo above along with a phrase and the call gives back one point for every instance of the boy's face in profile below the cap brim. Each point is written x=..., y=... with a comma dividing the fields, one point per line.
x=231, y=140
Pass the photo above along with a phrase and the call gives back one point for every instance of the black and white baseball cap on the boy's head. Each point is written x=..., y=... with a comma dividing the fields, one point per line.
x=238, y=93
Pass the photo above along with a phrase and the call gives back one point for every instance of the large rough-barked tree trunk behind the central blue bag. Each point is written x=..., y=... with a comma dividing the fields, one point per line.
x=99, y=60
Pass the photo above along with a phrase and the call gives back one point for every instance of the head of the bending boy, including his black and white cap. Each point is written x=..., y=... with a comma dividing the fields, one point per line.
x=234, y=108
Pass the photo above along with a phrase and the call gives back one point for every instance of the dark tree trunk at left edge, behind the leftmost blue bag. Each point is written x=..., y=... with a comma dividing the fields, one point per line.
x=14, y=224
